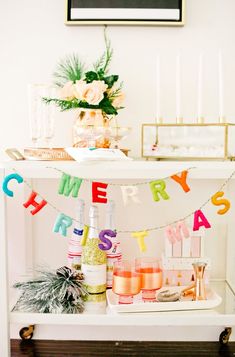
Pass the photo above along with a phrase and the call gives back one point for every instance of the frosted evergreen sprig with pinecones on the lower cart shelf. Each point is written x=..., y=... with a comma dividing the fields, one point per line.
x=53, y=292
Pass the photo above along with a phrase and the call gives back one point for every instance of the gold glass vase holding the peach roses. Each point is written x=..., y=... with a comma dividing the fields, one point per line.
x=91, y=129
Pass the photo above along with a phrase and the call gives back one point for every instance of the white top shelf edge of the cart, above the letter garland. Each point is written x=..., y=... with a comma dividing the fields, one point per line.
x=136, y=169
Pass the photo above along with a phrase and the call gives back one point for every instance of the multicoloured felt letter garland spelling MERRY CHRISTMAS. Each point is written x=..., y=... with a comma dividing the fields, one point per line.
x=70, y=185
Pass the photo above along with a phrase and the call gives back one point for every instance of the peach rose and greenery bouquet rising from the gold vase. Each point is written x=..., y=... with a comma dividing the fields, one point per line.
x=93, y=89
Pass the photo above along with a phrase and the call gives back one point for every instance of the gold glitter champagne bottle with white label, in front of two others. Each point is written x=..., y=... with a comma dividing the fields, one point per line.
x=93, y=258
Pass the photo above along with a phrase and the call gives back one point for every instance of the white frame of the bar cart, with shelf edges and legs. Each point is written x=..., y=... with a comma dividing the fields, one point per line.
x=222, y=316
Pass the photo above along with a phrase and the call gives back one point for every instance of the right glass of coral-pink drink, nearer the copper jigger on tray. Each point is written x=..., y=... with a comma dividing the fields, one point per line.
x=151, y=276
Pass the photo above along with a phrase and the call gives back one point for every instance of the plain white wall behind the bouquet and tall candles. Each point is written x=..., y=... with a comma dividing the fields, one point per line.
x=33, y=37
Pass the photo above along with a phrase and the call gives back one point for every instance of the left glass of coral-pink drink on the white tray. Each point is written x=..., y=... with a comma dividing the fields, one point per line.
x=126, y=281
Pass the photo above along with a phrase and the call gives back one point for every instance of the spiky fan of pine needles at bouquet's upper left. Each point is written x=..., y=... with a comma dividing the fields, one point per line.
x=69, y=69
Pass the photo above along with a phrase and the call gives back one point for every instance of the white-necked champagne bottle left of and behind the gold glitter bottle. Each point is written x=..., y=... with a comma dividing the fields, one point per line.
x=75, y=248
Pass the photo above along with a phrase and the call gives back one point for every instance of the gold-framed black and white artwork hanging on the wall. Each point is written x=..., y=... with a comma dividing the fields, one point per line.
x=125, y=12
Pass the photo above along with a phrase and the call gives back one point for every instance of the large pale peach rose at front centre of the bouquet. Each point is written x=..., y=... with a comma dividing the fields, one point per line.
x=92, y=93
